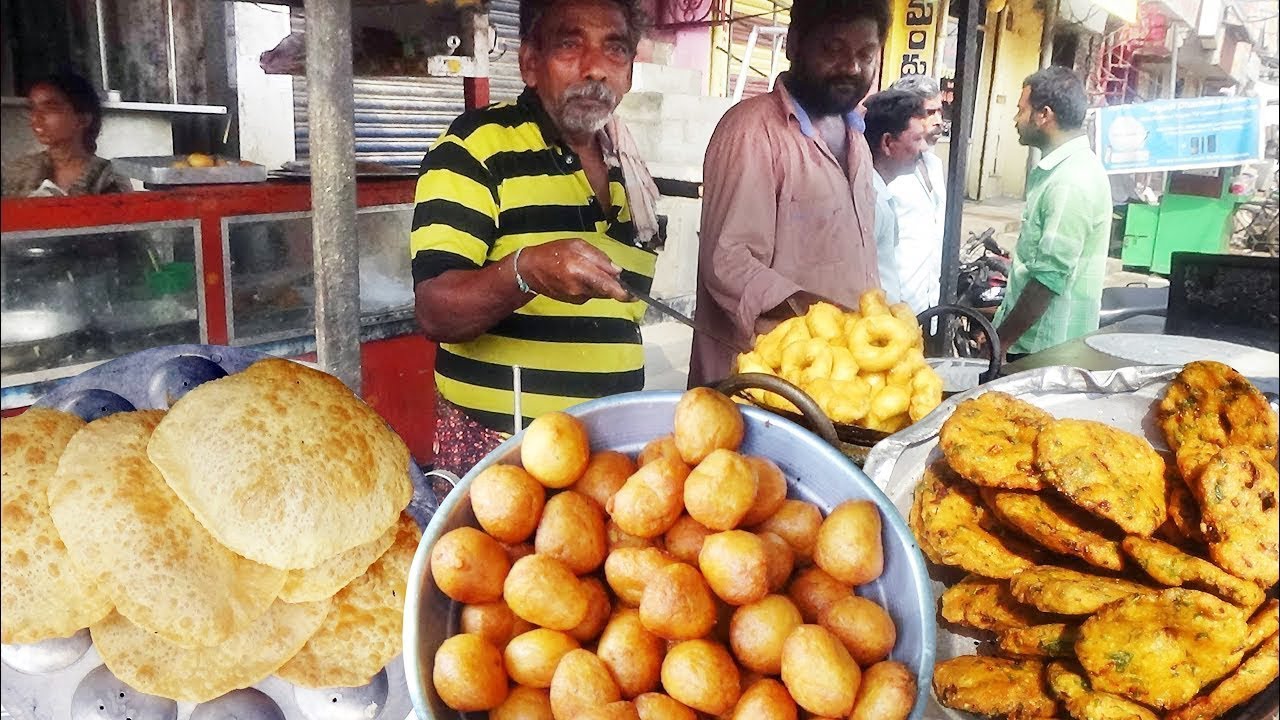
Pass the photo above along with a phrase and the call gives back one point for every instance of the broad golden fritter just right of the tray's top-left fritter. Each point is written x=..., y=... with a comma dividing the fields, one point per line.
x=1108, y=472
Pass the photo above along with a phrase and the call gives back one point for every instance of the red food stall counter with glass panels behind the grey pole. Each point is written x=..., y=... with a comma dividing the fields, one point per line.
x=88, y=280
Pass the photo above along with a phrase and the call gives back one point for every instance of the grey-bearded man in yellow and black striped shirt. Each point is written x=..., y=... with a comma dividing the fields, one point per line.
x=527, y=220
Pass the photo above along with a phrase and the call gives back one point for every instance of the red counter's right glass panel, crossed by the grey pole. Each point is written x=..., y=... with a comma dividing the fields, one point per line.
x=269, y=272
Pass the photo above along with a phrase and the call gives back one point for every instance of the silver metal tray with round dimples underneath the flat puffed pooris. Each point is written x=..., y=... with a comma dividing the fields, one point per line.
x=65, y=680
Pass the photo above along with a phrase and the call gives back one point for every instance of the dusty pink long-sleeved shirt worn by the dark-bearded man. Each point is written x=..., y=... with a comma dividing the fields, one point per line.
x=779, y=216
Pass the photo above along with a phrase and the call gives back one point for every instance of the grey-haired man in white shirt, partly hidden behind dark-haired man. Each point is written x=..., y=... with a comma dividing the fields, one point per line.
x=921, y=203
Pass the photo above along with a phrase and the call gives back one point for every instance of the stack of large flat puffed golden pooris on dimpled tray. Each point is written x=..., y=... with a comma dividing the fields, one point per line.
x=254, y=528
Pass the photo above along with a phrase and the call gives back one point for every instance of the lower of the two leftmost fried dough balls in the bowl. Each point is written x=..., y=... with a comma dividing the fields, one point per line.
x=469, y=675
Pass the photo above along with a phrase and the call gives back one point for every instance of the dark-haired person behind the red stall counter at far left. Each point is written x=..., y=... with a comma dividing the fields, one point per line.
x=66, y=117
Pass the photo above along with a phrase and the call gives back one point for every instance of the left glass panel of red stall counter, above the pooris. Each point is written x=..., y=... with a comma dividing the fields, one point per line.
x=88, y=295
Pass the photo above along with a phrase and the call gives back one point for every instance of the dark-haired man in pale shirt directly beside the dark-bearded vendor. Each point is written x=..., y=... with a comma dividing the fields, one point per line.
x=897, y=135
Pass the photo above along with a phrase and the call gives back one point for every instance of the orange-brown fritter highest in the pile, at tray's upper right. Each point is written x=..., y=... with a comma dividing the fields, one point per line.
x=1210, y=407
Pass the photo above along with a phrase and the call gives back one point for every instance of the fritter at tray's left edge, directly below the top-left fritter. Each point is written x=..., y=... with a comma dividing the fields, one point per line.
x=954, y=528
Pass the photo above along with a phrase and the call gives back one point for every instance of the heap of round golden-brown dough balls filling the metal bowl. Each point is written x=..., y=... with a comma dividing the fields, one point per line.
x=680, y=584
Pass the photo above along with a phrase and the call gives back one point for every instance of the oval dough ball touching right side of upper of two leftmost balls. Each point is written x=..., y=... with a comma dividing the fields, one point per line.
x=546, y=593
